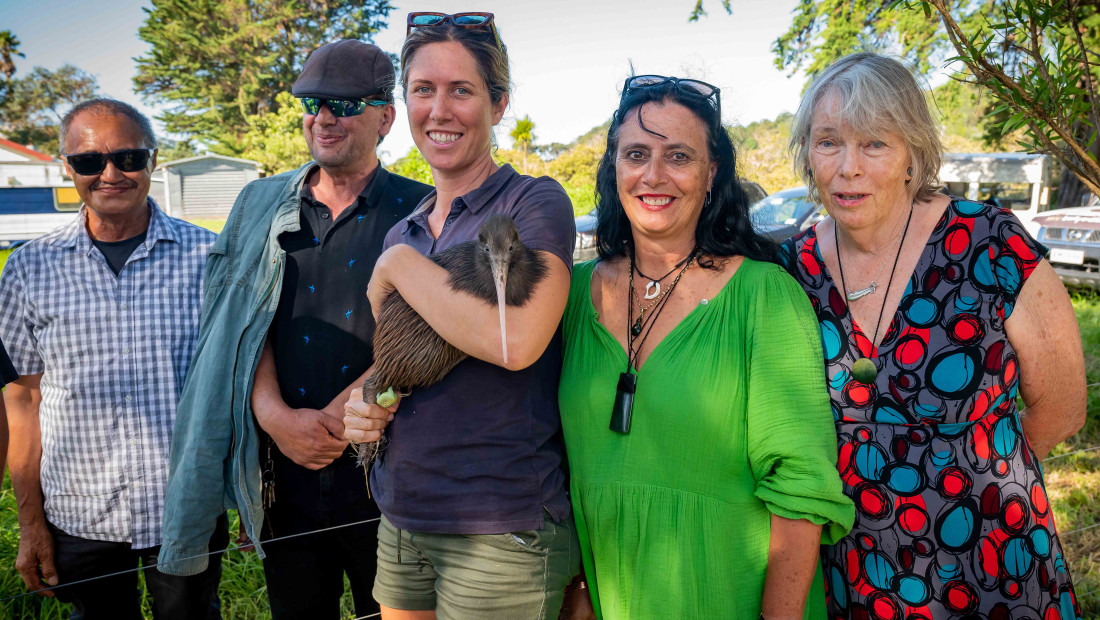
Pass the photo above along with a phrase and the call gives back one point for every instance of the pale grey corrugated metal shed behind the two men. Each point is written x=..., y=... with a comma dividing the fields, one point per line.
x=206, y=186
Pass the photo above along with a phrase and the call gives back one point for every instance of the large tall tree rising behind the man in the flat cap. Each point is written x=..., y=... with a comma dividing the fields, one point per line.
x=215, y=63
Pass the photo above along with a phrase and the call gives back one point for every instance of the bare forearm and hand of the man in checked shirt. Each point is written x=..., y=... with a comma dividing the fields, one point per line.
x=36, y=560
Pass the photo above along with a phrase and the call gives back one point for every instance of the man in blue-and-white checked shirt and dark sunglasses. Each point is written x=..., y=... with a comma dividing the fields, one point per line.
x=101, y=319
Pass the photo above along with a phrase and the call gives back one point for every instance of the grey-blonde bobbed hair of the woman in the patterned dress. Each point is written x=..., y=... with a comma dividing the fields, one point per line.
x=878, y=95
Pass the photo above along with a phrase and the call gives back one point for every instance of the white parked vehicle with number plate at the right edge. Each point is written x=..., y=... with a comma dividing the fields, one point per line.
x=1074, y=239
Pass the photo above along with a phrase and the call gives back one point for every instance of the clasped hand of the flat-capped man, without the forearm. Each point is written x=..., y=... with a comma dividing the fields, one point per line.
x=309, y=437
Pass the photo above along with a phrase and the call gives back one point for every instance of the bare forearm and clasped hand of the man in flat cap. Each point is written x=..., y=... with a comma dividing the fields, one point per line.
x=311, y=438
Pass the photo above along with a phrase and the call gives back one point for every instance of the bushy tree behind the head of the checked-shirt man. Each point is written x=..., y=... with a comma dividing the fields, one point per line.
x=32, y=108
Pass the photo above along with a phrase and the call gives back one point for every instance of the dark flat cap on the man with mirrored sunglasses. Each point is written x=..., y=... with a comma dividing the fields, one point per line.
x=347, y=70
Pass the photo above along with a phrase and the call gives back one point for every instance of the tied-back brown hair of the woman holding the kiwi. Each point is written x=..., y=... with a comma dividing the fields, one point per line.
x=492, y=61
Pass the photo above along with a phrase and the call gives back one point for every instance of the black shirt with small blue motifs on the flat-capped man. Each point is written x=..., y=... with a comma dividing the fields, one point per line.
x=323, y=330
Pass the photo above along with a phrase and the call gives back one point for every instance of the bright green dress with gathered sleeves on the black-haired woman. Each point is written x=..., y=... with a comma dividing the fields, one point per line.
x=732, y=424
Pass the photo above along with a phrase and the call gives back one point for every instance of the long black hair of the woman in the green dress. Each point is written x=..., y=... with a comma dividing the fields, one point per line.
x=724, y=228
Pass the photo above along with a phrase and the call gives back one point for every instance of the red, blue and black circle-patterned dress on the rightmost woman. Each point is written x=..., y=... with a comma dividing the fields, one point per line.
x=952, y=514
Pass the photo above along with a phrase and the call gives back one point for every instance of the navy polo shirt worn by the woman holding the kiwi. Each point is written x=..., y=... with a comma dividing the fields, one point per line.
x=481, y=452
